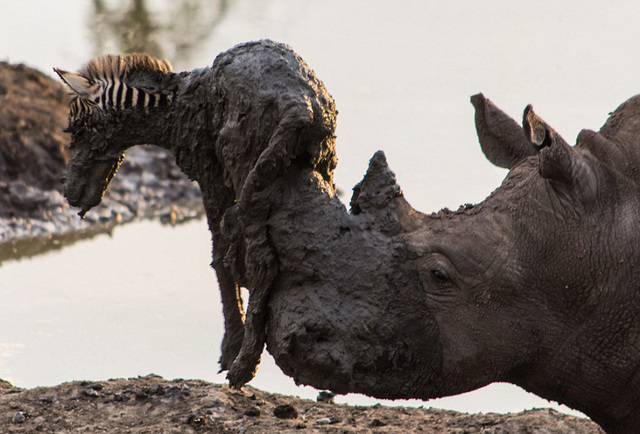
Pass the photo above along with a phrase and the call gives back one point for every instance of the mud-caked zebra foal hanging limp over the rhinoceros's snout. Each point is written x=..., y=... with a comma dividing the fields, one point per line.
x=234, y=128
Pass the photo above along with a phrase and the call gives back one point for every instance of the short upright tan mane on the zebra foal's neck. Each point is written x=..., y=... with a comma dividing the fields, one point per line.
x=114, y=66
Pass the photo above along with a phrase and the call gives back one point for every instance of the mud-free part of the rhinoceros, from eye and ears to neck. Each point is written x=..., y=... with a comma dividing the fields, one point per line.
x=545, y=282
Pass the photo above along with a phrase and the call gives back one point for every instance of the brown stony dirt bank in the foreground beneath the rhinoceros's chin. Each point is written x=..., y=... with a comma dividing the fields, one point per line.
x=152, y=404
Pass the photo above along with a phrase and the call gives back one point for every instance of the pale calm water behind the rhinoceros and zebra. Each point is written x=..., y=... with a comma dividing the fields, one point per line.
x=144, y=300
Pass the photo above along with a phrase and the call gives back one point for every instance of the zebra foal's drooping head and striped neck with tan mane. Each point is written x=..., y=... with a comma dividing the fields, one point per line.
x=112, y=98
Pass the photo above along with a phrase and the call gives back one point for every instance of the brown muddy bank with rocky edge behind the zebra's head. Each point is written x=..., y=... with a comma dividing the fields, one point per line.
x=34, y=216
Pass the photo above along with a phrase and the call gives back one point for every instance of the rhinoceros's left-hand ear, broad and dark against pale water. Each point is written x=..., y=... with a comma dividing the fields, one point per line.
x=501, y=138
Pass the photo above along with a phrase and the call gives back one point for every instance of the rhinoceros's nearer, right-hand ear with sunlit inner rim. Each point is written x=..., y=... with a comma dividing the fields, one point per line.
x=564, y=166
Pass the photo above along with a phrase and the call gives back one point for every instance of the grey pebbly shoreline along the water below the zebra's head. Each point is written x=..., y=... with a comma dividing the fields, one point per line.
x=150, y=186
